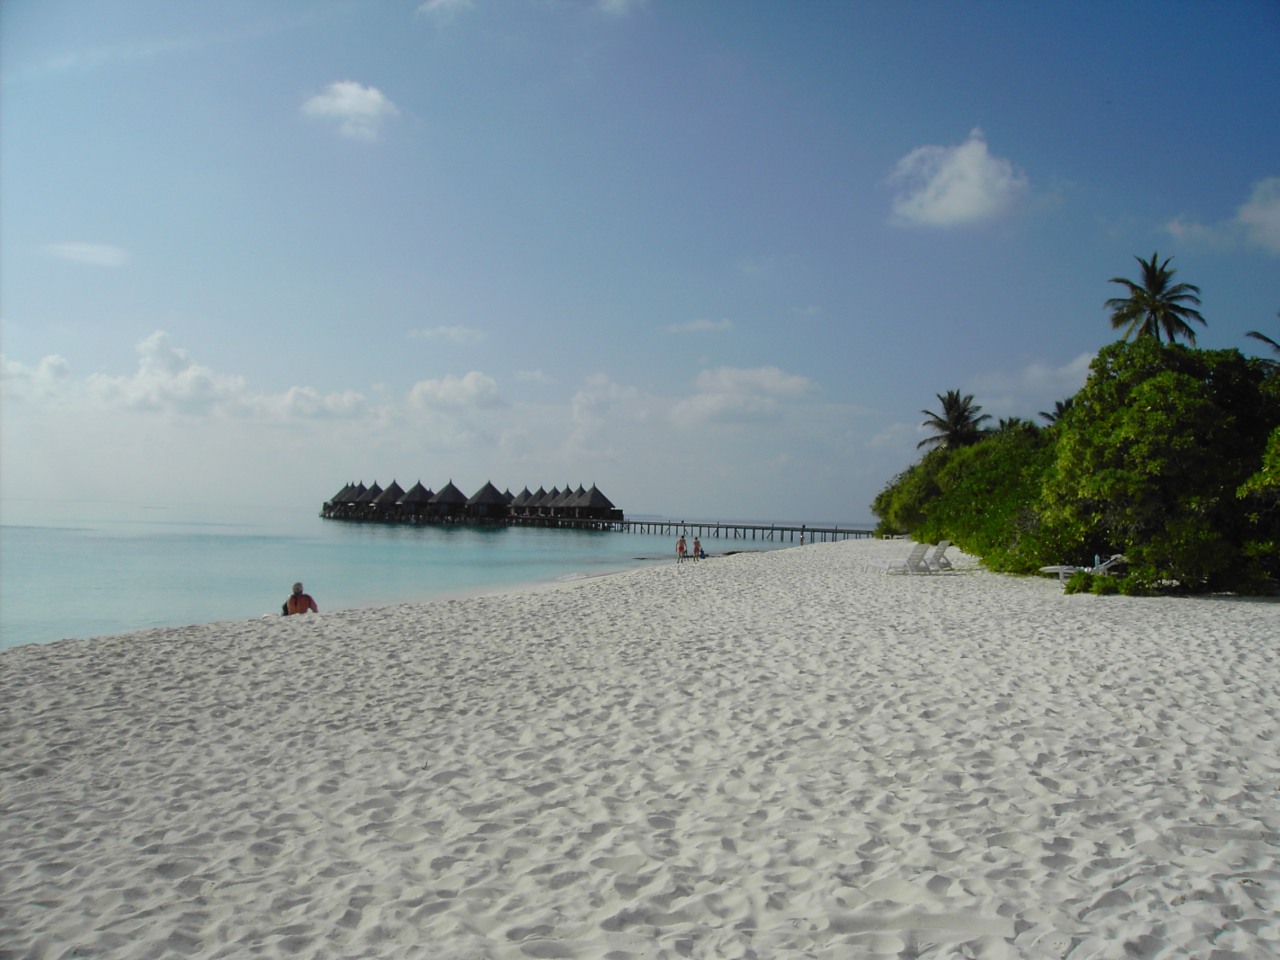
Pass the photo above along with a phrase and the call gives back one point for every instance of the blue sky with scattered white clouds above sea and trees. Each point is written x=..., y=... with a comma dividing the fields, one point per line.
x=715, y=258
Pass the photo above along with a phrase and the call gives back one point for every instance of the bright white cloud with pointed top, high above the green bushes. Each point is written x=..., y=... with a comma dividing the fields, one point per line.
x=956, y=186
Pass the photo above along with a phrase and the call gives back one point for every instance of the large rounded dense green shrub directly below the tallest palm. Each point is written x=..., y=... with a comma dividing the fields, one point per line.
x=1150, y=463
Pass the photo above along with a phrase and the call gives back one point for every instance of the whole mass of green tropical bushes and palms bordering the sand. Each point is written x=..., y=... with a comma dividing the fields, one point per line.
x=1168, y=455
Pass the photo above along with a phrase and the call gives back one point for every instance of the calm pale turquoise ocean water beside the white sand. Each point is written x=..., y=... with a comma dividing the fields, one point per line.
x=79, y=570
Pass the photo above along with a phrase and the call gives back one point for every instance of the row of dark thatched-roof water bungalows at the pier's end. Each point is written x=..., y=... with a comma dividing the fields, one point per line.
x=419, y=505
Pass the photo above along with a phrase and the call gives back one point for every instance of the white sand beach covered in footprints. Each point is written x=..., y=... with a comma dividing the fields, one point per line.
x=762, y=756
